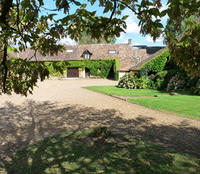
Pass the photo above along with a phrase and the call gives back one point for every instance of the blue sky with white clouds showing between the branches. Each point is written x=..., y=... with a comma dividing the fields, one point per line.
x=132, y=31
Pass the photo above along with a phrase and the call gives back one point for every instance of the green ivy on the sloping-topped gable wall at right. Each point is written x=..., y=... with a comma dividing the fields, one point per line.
x=155, y=65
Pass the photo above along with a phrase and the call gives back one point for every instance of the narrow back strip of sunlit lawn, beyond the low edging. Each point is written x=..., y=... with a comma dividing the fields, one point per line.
x=113, y=90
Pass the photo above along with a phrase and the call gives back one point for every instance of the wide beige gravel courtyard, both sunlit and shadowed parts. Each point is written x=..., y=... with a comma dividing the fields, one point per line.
x=62, y=105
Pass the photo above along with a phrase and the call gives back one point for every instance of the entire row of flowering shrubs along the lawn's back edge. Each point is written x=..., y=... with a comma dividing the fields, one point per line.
x=178, y=82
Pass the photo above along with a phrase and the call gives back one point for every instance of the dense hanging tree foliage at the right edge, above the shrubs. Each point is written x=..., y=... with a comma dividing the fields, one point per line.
x=184, y=44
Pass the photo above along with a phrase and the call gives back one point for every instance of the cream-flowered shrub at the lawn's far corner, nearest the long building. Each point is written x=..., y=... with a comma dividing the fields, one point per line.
x=131, y=81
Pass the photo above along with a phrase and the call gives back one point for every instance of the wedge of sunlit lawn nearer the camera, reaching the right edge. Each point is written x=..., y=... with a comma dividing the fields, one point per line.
x=184, y=105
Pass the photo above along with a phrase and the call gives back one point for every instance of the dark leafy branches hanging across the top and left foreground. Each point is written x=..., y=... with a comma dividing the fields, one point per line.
x=22, y=25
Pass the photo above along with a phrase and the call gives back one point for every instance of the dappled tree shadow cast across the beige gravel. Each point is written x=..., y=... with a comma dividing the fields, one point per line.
x=21, y=125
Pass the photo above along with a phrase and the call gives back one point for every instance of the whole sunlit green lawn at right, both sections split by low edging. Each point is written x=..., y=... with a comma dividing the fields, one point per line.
x=183, y=105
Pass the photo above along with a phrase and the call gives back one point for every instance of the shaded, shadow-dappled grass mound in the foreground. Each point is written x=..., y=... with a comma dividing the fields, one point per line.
x=77, y=152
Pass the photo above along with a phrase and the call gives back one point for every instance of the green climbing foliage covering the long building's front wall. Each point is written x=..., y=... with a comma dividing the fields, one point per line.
x=99, y=68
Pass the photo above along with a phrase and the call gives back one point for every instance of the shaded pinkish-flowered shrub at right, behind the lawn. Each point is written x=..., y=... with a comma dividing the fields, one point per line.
x=176, y=84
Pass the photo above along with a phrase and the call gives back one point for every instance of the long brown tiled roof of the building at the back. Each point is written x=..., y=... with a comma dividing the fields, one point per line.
x=124, y=52
